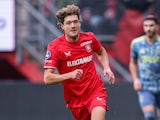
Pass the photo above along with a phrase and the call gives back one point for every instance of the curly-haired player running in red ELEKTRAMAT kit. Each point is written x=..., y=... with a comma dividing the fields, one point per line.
x=72, y=55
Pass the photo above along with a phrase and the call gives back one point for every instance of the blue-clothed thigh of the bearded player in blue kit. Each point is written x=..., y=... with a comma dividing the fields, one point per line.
x=146, y=98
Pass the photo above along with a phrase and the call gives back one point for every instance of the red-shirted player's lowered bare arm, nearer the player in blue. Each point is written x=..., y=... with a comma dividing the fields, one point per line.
x=103, y=58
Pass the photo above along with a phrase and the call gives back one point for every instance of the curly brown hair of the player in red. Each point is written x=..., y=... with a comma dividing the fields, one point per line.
x=66, y=11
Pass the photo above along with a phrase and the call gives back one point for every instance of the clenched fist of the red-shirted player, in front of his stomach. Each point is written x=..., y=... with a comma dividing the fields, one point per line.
x=76, y=74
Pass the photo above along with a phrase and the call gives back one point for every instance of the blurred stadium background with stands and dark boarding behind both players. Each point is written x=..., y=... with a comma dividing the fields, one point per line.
x=27, y=26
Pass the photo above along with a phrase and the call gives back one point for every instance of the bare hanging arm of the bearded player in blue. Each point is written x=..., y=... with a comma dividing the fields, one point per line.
x=134, y=73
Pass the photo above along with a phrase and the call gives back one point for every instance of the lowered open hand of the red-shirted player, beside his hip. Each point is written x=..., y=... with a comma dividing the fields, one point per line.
x=111, y=78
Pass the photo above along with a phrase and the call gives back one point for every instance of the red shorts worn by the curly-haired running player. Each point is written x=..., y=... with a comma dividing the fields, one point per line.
x=98, y=98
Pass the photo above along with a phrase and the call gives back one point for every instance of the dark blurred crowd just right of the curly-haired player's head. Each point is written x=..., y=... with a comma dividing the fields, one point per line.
x=101, y=16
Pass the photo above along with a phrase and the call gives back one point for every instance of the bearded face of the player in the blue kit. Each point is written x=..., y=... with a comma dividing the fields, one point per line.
x=150, y=28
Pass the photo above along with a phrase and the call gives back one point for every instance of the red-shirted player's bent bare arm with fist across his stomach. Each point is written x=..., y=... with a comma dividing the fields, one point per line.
x=52, y=78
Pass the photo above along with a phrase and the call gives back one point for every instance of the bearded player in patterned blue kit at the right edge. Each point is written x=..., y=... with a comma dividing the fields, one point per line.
x=145, y=68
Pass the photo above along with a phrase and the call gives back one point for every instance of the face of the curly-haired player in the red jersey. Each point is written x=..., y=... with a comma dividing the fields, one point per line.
x=71, y=27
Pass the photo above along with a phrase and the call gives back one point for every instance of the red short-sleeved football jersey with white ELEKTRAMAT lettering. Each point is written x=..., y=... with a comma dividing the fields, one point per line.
x=68, y=56
